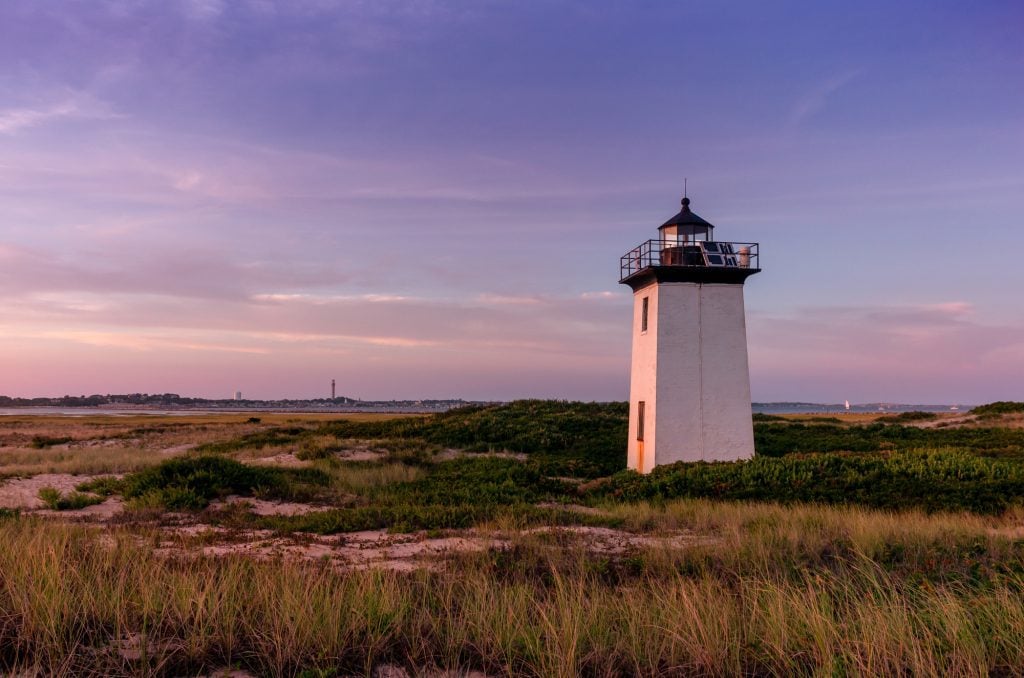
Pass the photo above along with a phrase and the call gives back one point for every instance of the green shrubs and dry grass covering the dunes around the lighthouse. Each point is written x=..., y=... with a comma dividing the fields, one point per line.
x=883, y=548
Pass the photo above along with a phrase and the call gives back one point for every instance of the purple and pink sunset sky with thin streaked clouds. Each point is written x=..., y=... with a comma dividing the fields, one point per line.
x=430, y=199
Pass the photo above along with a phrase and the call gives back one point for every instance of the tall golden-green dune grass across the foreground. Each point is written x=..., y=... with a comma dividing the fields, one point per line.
x=73, y=605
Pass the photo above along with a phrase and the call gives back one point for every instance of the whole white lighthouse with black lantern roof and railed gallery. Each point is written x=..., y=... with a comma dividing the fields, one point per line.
x=690, y=384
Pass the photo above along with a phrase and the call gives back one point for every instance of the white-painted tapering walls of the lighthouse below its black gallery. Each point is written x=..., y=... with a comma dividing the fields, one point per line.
x=692, y=370
